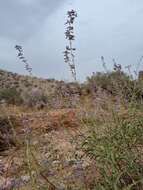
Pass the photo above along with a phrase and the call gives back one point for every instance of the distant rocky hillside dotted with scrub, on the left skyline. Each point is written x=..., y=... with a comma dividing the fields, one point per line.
x=33, y=90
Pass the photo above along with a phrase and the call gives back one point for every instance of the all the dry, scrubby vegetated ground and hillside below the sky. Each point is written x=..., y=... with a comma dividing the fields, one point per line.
x=85, y=136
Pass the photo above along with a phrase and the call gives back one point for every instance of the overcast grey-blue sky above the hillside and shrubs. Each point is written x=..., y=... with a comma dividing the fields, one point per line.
x=112, y=29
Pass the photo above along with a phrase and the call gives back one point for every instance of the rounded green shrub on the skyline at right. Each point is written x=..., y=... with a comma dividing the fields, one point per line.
x=118, y=84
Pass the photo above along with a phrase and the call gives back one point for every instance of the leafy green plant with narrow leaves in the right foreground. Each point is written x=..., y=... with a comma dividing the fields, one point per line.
x=117, y=151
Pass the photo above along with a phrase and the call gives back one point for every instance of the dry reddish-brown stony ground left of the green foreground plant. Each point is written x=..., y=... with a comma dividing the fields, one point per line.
x=46, y=153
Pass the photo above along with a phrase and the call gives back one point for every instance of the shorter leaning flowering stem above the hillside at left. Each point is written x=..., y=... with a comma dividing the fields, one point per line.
x=20, y=55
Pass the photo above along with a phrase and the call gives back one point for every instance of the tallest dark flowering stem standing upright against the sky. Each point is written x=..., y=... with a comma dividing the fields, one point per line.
x=69, y=56
